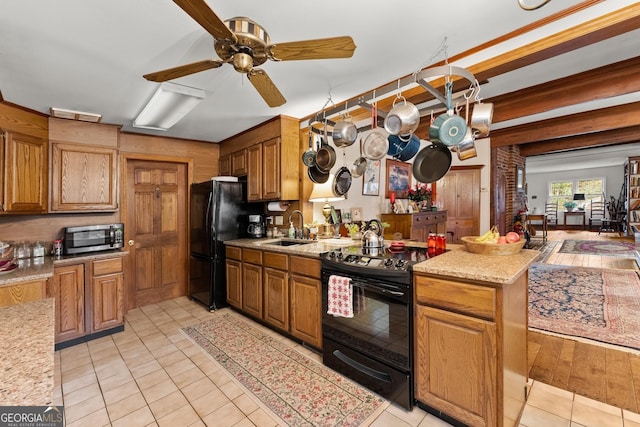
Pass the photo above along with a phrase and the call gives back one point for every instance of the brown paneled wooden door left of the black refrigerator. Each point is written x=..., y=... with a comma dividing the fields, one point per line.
x=156, y=226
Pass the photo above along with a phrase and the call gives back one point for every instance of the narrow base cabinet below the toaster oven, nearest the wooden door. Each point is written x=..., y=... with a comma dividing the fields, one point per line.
x=108, y=293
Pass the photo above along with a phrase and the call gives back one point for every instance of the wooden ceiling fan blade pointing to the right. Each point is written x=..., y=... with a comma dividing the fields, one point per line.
x=332, y=47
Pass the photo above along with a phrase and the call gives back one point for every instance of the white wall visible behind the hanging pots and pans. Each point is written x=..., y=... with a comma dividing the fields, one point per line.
x=373, y=206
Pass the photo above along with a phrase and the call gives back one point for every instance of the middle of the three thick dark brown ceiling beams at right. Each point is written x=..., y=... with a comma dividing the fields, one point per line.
x=575, y=124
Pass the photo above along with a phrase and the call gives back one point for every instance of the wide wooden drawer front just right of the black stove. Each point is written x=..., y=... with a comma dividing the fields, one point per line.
x=465, y=298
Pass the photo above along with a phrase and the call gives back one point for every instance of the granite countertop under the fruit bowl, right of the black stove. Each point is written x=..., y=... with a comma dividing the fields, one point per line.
x=462, y=264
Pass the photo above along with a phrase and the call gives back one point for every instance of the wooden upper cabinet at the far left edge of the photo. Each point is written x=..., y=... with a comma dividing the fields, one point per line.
x=23, y=161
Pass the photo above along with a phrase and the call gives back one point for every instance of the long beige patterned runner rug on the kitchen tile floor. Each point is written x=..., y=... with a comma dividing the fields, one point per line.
x=301, y=391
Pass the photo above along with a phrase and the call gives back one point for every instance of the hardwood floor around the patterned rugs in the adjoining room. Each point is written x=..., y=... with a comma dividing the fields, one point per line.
x=608, y=374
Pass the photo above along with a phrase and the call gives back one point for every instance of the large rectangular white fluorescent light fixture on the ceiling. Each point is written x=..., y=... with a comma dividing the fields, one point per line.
x=167, y=106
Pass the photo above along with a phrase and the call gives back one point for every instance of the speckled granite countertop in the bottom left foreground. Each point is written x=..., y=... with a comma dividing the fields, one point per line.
x=27, y=348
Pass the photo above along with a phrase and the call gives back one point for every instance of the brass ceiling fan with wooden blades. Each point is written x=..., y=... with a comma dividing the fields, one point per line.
x=246, y=45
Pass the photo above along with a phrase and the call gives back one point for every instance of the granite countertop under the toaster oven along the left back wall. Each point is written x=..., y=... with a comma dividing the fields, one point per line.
x=42, y=268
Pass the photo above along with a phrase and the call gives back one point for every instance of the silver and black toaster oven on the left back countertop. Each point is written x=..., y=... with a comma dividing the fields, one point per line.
x=93, y=238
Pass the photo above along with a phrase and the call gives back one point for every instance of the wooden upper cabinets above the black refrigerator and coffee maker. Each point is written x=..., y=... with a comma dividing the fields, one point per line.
x=271, y=154
